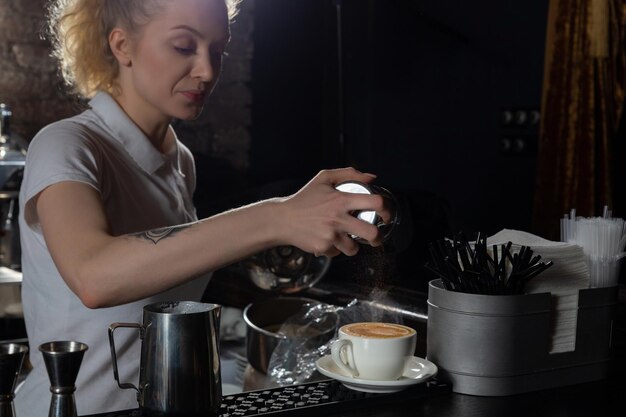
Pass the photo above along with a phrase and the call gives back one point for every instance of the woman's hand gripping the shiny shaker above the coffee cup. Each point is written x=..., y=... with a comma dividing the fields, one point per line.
x=318, y=218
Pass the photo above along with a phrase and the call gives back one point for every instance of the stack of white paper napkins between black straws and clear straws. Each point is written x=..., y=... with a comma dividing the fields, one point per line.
x=567, y=275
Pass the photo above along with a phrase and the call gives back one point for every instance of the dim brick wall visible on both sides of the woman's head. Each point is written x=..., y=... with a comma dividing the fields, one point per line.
x=31, y=87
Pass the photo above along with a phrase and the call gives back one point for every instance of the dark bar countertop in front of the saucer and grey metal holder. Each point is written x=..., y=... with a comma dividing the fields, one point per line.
x=604, y=398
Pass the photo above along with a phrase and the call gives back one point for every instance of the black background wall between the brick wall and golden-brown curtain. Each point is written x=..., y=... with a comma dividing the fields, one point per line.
x=437, y=98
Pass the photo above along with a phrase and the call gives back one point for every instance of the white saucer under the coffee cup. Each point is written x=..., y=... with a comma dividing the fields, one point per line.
x=417, y=370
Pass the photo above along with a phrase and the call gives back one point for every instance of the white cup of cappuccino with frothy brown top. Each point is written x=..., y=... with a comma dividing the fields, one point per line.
x=374, y=350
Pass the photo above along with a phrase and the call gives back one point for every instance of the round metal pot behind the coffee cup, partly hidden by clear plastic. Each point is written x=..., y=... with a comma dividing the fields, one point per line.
x=265, y=318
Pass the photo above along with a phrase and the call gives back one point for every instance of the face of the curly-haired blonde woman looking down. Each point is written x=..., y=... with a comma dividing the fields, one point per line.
x=176, y=58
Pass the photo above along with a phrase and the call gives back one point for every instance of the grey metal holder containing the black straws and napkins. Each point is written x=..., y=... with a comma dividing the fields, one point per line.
x=496, y=345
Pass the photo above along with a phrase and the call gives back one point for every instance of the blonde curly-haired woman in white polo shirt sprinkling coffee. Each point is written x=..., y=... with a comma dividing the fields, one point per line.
x=107, y=219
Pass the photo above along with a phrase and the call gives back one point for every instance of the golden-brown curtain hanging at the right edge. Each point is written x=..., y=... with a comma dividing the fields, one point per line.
x=582, y=100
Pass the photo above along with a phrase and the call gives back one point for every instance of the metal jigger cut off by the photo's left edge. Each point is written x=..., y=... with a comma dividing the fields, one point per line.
x=11, y=360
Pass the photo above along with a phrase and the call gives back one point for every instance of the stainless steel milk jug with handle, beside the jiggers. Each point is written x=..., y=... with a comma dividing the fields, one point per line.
x=180, y=363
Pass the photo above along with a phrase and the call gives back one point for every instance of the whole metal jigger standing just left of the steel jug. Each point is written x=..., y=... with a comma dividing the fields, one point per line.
x=63, y=360
